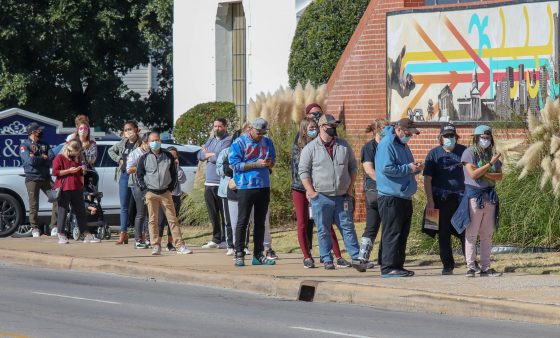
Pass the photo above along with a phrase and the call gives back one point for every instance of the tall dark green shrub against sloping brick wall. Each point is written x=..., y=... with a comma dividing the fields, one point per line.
x=322, y=33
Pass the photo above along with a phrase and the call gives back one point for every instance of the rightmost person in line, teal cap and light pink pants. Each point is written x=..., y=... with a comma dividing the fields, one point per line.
x=479, y=209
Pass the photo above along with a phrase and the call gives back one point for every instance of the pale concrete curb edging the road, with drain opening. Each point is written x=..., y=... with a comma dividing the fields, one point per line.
x=386, y=298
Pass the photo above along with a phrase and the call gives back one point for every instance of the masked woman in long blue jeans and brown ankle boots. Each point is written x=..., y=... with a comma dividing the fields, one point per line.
x=119, y=153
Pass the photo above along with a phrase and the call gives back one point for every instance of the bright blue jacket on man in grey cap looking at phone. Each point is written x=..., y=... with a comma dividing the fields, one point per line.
x=246, y=150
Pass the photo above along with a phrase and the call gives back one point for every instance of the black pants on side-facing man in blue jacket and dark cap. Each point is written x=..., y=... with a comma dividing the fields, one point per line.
x=396, y=215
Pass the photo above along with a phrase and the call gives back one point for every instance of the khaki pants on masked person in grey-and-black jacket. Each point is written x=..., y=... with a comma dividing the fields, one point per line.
x=154, y=201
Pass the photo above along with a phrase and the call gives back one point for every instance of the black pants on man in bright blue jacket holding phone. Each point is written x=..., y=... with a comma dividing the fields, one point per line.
x=247, y=199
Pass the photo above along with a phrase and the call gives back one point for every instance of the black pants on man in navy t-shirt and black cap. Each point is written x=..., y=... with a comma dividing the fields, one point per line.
x=447, y=208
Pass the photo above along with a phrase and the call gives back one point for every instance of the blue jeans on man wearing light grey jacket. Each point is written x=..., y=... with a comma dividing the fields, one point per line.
x=329, y=210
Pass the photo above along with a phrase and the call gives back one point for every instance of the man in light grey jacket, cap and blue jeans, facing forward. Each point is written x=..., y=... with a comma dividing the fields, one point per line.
x=327, y=169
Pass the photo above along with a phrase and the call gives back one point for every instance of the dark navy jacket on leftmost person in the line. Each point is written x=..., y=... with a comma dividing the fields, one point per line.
x=34, y=165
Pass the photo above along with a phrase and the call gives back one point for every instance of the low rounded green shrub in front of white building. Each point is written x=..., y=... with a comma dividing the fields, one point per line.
x=194, y=126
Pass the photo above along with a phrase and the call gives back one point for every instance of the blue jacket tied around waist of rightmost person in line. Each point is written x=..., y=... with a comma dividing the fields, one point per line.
x=462, y=217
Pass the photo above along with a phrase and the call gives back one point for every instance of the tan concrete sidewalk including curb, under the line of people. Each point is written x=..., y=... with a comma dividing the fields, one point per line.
x=520, y=297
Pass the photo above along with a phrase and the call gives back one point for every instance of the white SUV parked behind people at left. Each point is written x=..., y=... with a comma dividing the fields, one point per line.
x=14, y=203
